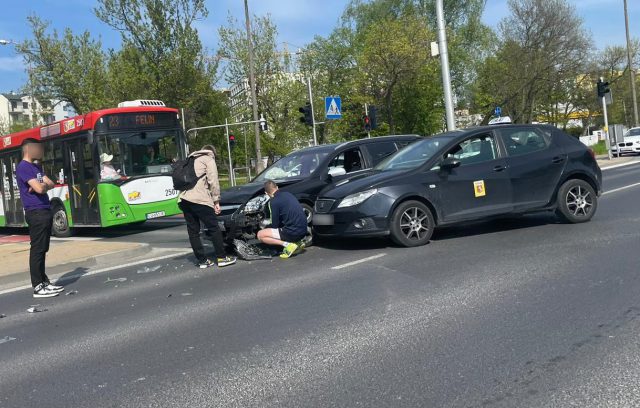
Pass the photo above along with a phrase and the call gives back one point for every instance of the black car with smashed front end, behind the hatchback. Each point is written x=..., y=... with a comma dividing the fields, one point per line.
x=304, y=173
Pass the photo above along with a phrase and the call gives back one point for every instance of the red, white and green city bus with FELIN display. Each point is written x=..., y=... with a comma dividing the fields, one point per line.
x=143, y=136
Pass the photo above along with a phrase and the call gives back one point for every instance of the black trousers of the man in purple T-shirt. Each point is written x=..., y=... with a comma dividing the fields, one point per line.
x=40, y=223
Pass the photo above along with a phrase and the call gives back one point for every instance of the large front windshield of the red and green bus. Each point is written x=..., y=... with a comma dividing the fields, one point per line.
x=138, y=153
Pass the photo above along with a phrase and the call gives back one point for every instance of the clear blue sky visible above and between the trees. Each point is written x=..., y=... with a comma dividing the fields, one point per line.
x=298, y=22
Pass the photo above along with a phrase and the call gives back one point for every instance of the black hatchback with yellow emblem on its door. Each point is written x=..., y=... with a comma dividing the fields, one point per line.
x=460, y=176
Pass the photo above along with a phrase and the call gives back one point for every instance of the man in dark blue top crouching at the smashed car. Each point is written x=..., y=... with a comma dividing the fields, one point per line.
x=288, y=222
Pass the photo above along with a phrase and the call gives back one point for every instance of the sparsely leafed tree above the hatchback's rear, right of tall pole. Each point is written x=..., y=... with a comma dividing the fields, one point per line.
x=551, y=47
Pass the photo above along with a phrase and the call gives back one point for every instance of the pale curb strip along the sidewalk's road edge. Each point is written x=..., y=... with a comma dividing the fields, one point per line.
x=75, y=268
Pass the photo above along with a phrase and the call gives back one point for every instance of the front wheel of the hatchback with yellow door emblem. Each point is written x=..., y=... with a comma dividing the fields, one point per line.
x=412, y=224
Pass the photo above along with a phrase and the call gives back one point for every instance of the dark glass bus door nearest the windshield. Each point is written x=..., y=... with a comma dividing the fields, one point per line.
x=83, y=191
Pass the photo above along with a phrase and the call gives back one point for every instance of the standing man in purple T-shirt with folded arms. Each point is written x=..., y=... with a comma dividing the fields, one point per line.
x=33, y=185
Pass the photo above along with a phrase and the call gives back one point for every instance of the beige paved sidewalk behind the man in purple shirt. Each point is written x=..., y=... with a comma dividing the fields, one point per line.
x=64, y=257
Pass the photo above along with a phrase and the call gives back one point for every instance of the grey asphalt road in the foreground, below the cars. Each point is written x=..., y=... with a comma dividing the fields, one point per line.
x=509, y=313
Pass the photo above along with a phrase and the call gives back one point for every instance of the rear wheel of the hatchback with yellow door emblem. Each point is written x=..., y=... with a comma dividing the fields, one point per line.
x=577, y=201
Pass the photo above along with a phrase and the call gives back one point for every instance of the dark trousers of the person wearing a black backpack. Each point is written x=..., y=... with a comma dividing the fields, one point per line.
x=193, y=215
